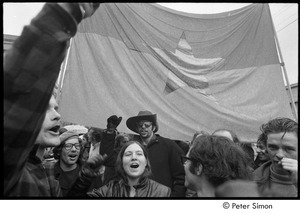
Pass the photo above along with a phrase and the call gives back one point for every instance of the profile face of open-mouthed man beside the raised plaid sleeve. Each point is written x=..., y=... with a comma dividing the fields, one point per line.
x=49, y=133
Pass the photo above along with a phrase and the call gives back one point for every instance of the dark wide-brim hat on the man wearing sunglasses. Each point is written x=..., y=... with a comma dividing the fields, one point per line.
x=142, y=115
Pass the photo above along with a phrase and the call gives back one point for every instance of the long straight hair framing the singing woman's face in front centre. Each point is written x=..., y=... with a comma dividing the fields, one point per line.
x=119, y=162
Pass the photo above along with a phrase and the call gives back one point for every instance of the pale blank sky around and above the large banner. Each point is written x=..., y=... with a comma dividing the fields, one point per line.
x=285, y=18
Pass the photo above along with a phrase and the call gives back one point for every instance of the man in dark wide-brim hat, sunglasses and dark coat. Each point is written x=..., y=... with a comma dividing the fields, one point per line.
x=164, y=154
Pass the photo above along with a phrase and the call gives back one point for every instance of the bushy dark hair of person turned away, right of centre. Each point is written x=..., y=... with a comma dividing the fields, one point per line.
x=221, y=159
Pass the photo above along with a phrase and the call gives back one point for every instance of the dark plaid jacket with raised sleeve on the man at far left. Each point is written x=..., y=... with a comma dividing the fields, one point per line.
x=31, y=68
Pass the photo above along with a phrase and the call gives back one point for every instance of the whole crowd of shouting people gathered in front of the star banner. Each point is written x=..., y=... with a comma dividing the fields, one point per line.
x=44, y=159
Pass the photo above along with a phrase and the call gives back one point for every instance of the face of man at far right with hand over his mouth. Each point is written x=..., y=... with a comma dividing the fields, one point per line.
x=280, y=145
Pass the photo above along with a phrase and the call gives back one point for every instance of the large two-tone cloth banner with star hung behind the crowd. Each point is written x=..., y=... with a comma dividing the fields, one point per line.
x=196, y=72
